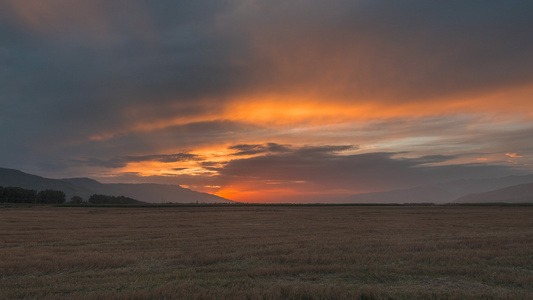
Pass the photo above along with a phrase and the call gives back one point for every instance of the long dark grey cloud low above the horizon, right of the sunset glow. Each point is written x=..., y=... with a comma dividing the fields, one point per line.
x=327, y=168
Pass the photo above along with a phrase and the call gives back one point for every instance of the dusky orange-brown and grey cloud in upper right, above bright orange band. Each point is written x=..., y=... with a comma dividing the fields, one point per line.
x=367, y=51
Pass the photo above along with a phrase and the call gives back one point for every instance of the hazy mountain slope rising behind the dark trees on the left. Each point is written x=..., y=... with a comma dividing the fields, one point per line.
x=85, y=187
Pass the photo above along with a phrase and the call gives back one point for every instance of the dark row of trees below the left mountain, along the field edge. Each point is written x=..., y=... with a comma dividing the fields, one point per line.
x=21, y=195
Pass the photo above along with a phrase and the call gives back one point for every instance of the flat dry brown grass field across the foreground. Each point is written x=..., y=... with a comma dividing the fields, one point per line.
x=266, y=252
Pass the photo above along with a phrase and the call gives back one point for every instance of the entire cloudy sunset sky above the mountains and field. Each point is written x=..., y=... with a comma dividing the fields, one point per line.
x=268, y=101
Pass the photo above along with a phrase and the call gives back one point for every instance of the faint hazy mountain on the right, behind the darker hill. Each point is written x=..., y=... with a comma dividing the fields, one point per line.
x=439, y=193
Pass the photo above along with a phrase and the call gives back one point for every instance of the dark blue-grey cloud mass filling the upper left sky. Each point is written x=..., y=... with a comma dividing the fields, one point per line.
x=163, y=70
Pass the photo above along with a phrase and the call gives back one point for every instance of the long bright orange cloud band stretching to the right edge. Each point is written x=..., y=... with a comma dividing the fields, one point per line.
x=313, y=110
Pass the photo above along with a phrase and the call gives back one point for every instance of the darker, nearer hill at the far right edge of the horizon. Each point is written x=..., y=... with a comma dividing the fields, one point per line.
x=521, y=193
